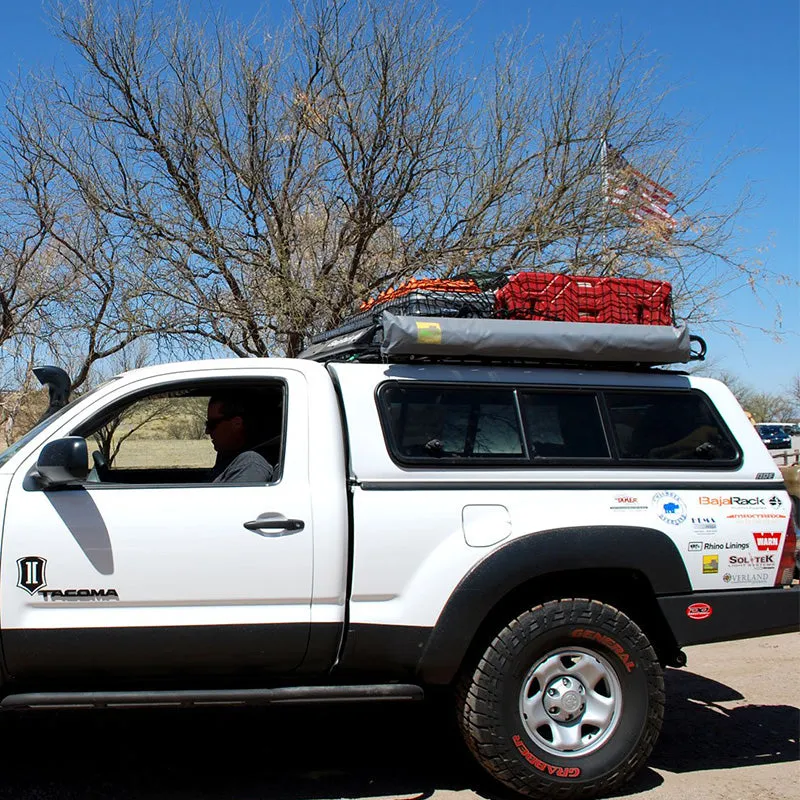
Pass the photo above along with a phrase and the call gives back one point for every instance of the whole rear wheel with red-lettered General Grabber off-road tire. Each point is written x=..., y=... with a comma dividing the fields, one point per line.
x=566, y=702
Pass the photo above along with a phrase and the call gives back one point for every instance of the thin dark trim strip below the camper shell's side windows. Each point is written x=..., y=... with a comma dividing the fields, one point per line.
x=585, y=485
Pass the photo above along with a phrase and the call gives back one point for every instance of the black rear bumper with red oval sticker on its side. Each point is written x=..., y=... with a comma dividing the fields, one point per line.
x=741, y=614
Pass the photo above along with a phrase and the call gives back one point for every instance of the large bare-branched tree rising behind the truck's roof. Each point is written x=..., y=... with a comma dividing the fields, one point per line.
x=253, y=184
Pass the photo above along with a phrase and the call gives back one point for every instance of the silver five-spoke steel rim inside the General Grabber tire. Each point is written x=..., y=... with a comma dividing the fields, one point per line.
x=570, y=702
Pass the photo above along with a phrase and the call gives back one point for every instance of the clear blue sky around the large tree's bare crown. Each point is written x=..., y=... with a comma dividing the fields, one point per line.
x=736, y=69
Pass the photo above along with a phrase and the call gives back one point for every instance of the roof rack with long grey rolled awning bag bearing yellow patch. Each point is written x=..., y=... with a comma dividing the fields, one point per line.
x=392, y=338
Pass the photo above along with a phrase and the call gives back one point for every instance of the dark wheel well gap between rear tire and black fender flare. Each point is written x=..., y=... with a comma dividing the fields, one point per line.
x=627, y=590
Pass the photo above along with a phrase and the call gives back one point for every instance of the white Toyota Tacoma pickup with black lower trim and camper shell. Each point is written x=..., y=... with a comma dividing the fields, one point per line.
x=541, y=539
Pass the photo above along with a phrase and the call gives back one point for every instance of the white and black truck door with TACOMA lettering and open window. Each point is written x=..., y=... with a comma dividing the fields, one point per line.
x=147, y=568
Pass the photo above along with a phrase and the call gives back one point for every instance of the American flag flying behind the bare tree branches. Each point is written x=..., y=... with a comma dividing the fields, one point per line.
x=640, y=197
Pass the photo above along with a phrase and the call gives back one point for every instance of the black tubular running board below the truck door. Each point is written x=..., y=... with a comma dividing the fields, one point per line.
x=212, y=697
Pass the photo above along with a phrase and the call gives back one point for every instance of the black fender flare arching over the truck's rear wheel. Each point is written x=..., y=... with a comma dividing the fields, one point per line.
x=645, y=550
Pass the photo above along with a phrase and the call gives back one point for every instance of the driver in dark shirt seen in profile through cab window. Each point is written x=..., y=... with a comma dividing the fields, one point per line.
x=231, y=422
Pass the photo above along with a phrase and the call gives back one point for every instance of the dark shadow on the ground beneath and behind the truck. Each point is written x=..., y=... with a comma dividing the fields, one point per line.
x=388, y=751
